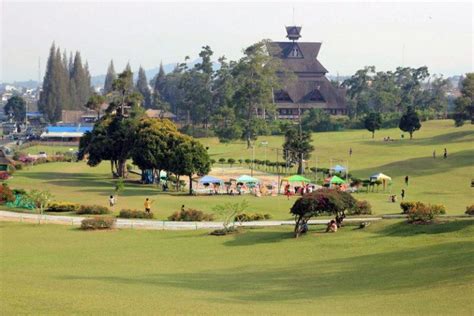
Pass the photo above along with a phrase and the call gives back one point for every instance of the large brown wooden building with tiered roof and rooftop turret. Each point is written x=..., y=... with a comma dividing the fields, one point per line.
x=310, y=87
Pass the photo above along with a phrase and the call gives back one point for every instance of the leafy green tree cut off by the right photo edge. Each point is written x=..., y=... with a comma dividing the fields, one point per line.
x=464, y=105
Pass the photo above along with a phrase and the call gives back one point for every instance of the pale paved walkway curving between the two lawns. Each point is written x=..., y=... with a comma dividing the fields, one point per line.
x=158, y=225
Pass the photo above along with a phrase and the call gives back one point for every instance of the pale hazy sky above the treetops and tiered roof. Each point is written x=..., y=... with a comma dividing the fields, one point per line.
x=353, y=34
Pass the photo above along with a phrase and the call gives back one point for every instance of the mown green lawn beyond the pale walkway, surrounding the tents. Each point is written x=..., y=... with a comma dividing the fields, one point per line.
x=445, y=181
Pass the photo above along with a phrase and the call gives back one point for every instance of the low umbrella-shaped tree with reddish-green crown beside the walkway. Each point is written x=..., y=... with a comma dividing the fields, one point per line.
x=320, y=202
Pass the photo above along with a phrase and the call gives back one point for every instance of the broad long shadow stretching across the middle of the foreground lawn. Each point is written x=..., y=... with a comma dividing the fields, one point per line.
x=378, y=273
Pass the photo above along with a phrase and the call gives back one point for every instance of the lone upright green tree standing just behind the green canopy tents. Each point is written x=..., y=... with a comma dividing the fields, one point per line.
x=297, y=147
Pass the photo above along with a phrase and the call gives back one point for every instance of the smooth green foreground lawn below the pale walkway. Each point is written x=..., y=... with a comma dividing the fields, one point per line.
x=388, y=268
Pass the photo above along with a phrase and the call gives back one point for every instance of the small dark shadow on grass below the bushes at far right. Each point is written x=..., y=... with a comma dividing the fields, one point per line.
x=404, y=229
